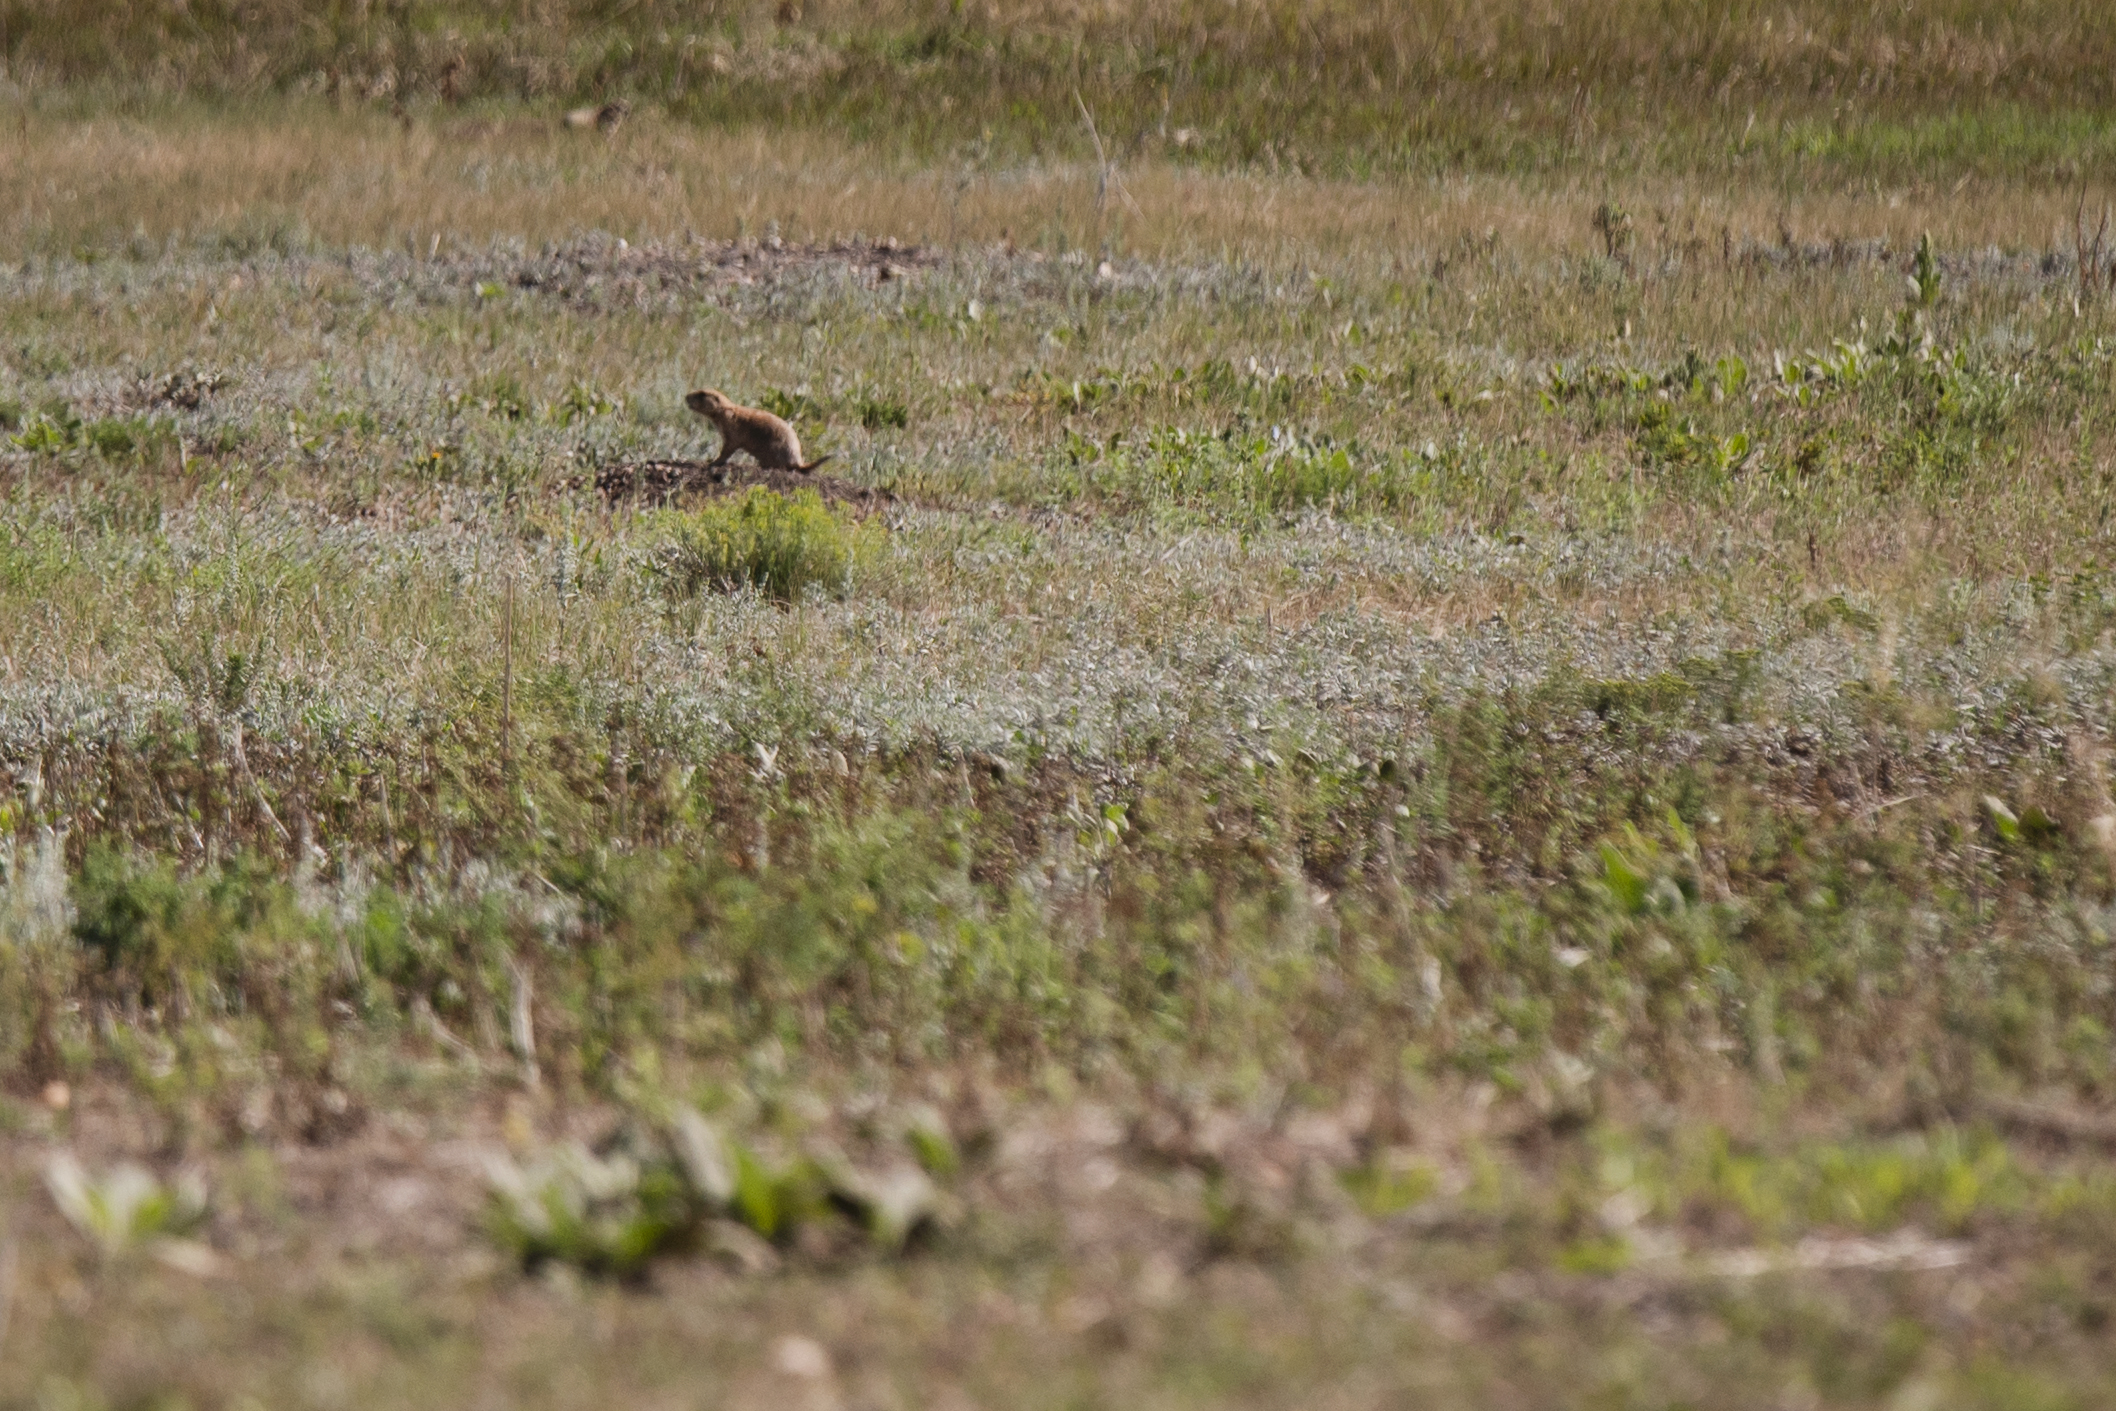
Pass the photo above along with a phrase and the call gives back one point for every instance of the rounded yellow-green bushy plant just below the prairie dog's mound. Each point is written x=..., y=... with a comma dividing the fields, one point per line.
x=778, y=545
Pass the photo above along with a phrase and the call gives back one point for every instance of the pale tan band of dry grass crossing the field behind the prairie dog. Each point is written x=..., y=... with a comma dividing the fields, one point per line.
x=308, y=175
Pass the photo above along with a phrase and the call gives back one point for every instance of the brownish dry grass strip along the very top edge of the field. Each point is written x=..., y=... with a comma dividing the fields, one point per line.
x=2043, y=50
